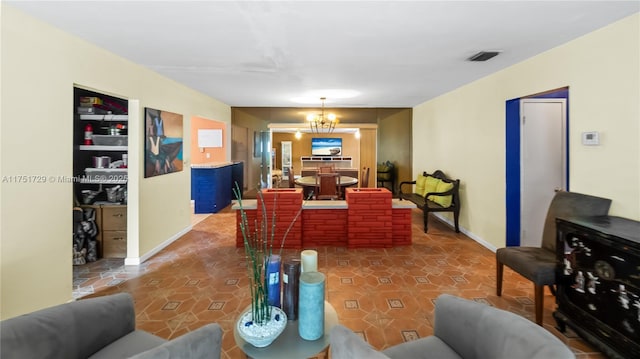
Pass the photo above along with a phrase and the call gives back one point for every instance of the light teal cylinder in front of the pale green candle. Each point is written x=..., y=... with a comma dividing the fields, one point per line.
x=311, y=305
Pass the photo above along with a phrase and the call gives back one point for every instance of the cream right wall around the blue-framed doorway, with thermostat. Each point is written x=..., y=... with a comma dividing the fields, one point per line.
x=463, y=132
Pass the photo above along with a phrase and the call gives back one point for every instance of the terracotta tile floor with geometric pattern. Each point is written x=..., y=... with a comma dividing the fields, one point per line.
x=385, y=295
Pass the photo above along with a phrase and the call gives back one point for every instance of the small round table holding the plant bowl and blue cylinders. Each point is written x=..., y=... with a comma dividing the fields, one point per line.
x=289, y=344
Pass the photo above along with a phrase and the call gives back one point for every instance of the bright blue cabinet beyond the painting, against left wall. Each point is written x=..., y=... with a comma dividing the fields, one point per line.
x=211, y=188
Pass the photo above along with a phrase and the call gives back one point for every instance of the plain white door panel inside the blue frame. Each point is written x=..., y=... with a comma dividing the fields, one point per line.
x=543, y=163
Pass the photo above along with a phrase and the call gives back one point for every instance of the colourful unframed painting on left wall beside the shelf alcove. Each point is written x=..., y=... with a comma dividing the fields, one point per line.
x=163, y=142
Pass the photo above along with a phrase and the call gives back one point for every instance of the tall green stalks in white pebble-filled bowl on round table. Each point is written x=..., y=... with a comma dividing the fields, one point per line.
x=261, y=324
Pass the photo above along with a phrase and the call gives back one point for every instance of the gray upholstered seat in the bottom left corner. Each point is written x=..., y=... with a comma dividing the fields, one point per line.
x=97, y=328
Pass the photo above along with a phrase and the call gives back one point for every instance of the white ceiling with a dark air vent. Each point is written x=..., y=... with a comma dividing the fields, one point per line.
x=263, y=54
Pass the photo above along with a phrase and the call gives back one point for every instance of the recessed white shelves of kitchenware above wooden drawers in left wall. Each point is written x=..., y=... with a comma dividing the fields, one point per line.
x=102, y=189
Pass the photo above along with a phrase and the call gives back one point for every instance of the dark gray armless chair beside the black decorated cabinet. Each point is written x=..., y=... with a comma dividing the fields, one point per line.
x=538, y=264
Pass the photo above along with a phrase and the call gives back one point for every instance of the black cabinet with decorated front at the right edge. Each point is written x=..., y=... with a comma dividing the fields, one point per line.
x=599, y=282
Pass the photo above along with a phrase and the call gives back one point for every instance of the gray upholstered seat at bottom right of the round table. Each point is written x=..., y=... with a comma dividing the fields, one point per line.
x=462, y=329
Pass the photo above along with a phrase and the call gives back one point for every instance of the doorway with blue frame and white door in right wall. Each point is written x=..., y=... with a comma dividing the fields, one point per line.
x=537, y=162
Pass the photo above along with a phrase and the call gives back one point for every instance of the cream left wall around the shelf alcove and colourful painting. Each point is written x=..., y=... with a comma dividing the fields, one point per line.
x=40, y=66
